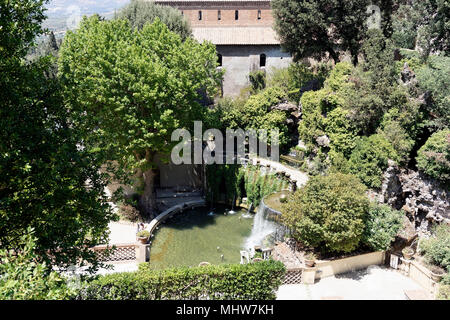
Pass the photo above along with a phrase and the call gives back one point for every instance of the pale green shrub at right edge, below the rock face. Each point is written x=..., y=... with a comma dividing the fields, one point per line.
x=437, y=248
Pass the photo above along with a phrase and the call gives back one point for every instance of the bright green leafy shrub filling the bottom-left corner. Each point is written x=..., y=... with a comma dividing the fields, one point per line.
x=23, y=277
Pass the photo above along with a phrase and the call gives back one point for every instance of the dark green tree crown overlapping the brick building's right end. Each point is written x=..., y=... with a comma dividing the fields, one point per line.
x=303, y=26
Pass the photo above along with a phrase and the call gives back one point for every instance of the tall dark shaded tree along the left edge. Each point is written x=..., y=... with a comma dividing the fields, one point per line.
x=47, y=181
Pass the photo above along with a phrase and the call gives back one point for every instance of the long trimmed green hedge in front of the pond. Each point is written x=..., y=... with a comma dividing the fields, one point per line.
x=255, y=281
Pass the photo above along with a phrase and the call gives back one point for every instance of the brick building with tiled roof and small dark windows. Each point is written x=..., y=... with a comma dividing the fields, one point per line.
x=242, y=32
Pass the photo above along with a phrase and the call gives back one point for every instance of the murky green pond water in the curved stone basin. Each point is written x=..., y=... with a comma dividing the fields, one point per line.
x=194, y=236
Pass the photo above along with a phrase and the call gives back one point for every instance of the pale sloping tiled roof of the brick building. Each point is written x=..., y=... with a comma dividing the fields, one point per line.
x=236, y=35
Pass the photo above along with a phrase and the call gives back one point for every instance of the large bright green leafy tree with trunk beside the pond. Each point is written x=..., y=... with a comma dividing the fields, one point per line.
x=131, y=88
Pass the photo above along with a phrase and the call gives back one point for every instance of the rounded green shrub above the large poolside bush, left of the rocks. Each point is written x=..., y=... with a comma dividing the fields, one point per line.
x=370, y=158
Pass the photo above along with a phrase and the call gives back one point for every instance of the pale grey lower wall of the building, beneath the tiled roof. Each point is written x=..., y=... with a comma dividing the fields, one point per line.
x=239, y=61
